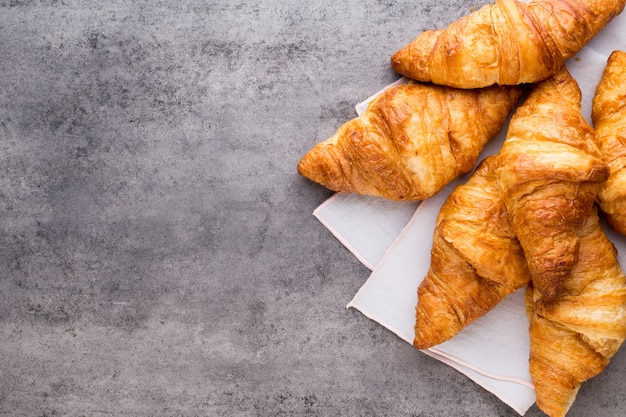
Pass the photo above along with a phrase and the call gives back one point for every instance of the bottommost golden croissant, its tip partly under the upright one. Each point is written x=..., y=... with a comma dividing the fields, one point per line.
x=573, y=336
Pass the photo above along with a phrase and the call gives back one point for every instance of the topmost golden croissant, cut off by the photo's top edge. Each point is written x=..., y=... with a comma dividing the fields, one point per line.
x=509, y=42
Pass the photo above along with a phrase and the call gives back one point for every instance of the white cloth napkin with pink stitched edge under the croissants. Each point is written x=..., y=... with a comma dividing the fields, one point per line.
x=394, y=240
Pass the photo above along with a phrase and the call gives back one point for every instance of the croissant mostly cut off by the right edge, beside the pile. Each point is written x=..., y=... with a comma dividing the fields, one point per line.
x=609, y=117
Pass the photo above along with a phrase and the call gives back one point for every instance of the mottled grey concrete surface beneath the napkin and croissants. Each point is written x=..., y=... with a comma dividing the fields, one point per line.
x=158, y=256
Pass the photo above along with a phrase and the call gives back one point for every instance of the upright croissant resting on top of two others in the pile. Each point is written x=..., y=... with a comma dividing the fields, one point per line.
x=549, y=171
